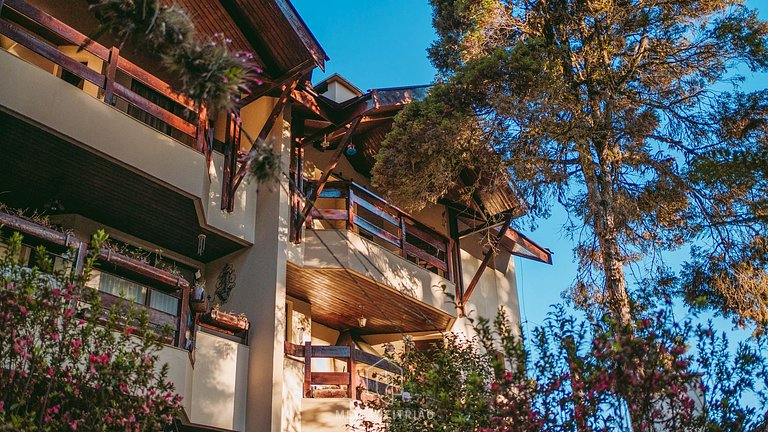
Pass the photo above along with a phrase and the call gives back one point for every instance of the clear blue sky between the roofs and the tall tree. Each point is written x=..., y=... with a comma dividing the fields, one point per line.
x=382, y=43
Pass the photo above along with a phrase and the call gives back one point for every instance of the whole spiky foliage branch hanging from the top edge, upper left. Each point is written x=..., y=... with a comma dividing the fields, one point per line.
x=209, y=72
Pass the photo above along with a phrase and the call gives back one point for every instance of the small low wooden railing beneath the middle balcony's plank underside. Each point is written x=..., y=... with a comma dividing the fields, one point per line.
x=350, y=379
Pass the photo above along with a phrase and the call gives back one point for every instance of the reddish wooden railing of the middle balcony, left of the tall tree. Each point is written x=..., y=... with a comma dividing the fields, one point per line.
x=348, y=205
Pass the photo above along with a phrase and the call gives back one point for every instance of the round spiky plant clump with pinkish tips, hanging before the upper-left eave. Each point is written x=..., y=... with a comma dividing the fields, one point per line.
x=212, y=74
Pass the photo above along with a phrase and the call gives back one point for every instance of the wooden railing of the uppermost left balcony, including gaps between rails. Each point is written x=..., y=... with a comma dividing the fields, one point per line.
x=44, y=35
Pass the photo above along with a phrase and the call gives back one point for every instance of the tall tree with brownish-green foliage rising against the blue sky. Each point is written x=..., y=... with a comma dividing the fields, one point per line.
x=614, y=108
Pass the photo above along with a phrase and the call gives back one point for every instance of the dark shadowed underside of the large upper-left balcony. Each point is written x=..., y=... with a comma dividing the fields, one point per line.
x=38, y=168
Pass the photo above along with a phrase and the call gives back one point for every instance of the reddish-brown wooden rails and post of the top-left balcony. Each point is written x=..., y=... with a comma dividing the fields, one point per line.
x=105, y=80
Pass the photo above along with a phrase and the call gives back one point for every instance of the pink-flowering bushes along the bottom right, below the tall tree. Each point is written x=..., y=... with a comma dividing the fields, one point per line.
x=585, y=376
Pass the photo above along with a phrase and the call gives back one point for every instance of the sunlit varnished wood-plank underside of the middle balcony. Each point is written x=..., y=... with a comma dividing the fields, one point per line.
x=337, y=295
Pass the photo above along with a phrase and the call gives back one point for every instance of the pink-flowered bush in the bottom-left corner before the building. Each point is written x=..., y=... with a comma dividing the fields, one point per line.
x=68, y=364
